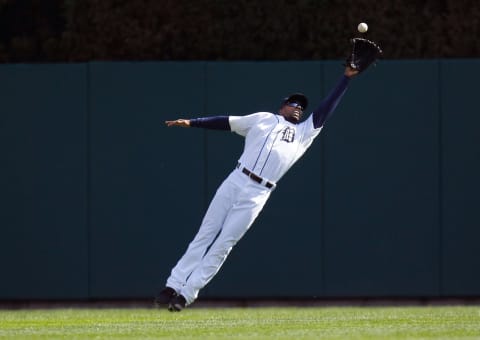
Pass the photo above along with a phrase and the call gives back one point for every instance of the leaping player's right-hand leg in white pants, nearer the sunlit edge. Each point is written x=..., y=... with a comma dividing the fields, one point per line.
x=238, y=221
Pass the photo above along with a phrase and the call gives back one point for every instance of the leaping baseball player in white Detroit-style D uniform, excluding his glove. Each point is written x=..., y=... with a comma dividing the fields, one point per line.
x=273, y=143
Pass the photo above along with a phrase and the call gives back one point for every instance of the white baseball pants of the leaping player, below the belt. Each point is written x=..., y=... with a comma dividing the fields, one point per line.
x=235, y=206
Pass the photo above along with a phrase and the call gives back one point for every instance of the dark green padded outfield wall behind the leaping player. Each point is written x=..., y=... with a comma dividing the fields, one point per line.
x=98, y=199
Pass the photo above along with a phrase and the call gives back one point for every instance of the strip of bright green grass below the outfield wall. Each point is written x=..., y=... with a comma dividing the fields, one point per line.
x=245, y=323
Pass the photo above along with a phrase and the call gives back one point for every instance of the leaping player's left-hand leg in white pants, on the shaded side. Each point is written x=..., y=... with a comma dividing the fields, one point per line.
x=209, y=229
